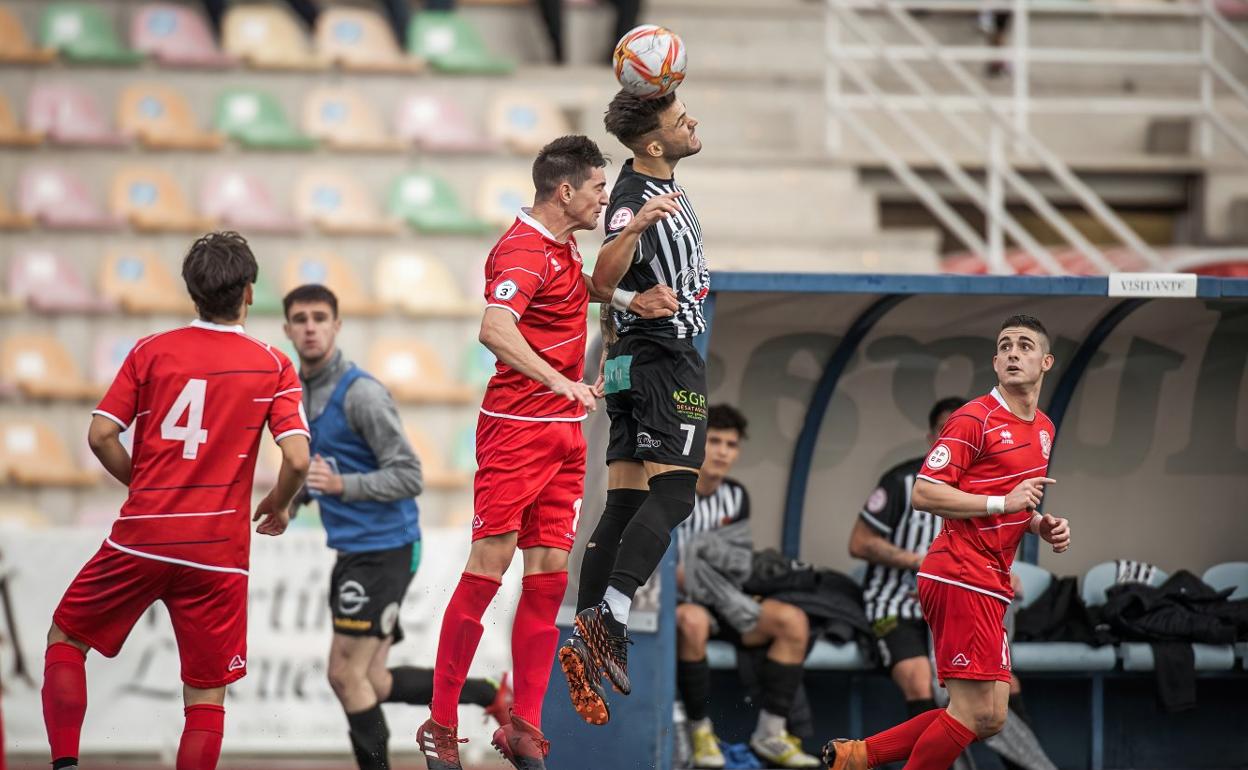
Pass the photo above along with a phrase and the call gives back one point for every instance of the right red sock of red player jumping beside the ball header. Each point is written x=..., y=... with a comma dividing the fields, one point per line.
x=535, y=638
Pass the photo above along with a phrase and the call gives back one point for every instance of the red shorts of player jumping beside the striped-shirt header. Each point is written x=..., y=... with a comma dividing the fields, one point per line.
x=531, y=479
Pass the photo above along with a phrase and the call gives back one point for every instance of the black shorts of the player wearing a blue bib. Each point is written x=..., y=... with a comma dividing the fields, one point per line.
x=366, y=591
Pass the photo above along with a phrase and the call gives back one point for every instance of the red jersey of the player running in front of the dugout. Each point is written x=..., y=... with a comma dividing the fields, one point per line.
x=984, y=450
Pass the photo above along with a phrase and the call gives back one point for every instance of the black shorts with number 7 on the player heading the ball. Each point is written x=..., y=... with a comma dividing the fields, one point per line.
x=657, y=401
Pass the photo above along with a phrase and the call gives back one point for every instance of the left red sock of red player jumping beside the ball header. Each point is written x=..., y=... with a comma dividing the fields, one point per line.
x=457, y=645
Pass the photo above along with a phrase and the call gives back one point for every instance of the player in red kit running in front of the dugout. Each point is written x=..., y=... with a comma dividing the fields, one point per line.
x=985, y=476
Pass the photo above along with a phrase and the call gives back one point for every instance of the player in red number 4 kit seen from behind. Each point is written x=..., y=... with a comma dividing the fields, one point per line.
x=198, y=399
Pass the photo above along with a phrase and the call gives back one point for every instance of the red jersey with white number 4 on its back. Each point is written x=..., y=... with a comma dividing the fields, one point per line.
x=199, y=397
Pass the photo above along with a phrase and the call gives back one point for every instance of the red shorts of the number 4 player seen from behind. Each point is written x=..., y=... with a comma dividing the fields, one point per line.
x=209, y=611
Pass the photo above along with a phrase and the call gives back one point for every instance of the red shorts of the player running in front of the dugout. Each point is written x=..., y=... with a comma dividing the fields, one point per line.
x=969, y=633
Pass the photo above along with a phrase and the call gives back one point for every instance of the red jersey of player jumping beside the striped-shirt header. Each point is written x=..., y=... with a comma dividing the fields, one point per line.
x=539, y=280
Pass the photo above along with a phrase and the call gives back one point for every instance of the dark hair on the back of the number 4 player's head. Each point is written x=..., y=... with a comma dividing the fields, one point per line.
x=218, y=270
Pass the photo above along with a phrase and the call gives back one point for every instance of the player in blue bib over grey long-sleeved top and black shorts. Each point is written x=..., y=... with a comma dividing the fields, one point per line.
x=365, y=480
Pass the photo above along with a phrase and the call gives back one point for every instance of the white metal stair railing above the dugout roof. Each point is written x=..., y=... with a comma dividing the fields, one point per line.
x=853, y=42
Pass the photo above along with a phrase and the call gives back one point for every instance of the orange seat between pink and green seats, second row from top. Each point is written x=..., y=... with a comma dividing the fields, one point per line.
x=162, y=119
